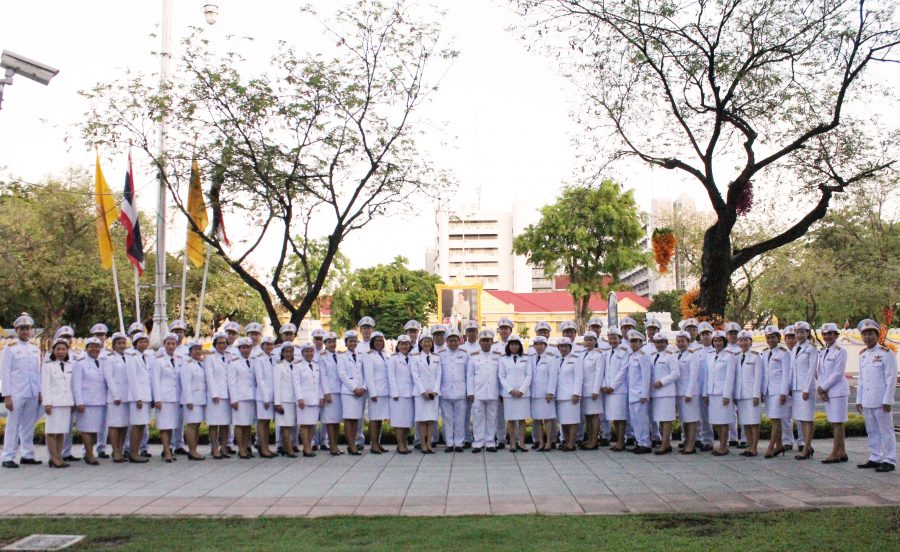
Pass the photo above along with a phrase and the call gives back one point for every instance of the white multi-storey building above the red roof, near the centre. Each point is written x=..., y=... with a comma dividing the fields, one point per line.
x=475, y=246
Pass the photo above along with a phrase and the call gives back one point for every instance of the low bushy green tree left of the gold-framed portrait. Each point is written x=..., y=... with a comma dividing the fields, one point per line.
x=392, y=294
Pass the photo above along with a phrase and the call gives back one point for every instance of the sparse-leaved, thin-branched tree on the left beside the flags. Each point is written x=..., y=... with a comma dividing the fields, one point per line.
x=316, y=142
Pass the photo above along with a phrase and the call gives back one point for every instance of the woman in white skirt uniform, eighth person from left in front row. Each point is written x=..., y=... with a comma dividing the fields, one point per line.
x=218, y=406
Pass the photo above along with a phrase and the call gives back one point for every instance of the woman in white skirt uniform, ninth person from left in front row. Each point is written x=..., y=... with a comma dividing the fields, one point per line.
x=242, y=394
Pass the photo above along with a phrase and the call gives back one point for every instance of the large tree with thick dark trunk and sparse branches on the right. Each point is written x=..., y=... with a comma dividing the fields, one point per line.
x=736, y=95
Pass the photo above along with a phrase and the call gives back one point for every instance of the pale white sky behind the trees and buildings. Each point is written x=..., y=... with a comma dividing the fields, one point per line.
x=501, y=119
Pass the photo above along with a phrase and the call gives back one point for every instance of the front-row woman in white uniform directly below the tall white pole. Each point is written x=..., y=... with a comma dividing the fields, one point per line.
x=167, y=385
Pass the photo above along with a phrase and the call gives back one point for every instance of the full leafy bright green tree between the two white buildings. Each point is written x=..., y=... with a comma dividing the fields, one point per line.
x=591, y=235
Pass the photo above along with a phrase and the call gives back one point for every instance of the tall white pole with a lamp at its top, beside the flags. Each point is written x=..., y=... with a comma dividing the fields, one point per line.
x=160, y=322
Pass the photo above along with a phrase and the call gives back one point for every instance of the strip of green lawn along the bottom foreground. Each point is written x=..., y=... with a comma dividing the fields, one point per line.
x=828, y=529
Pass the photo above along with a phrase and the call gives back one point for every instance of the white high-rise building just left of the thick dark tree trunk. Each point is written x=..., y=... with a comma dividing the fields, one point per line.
x=647, y=281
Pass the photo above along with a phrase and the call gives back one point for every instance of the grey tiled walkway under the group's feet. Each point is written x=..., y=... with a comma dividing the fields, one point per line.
x=598, y=482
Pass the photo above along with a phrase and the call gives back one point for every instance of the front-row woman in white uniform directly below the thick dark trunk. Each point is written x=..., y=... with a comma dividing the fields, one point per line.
x=719, y=390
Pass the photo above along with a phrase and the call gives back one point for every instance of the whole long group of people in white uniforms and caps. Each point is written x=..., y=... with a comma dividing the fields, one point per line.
x=624, y=391
